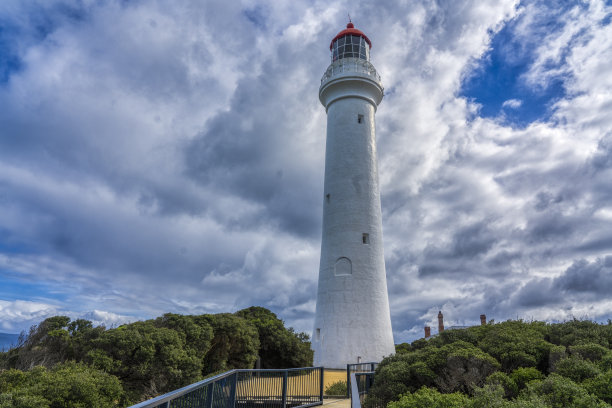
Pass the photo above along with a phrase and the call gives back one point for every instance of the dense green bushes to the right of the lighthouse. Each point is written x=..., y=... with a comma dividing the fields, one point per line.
x=510, y=364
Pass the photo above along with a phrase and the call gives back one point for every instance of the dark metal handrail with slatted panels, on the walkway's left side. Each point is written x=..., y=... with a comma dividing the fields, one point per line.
x=205, y=391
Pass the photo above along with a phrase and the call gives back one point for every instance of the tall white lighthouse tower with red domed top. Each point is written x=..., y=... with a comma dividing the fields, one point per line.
x=352, y=322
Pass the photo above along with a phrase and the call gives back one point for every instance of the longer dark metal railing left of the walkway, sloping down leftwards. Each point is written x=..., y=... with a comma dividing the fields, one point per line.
x=290, y=388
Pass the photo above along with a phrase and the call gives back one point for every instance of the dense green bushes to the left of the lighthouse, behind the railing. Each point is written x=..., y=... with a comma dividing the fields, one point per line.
x=148, y=357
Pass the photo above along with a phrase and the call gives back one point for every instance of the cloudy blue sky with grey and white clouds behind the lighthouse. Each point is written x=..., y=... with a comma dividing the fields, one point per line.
x=168, y=156
